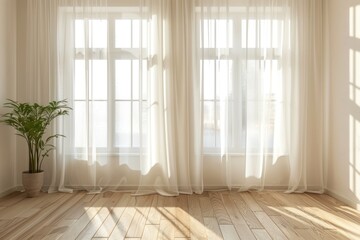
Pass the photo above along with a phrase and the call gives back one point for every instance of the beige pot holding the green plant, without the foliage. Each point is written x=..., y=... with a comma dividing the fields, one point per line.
x=32, y=183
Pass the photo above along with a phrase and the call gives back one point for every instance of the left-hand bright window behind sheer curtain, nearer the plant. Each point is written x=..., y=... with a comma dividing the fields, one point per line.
x=110, y=75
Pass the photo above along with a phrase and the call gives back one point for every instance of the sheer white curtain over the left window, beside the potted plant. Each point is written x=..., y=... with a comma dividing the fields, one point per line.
x=127, y=71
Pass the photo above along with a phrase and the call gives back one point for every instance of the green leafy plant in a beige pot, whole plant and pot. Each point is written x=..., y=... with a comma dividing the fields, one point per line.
x=31, y=120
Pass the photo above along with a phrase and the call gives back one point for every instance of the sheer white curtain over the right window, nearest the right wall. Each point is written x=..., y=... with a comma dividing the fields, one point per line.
x=261, y=78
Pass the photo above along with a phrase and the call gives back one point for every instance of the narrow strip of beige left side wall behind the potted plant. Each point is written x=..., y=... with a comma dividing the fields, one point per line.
x=7, y=90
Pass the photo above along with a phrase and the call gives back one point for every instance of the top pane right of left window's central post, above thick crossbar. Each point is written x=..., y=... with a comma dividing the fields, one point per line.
x=123, y=33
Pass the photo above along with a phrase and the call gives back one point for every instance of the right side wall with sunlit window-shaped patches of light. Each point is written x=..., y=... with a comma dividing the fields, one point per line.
x=344, y=101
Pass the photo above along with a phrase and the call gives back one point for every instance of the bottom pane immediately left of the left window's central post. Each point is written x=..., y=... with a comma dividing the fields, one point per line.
x=99, y=127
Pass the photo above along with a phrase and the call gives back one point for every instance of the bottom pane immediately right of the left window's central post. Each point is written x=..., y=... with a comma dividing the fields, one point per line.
x=123, y=124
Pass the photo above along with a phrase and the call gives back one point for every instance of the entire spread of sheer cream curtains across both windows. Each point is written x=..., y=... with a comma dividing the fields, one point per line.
x=174, y=96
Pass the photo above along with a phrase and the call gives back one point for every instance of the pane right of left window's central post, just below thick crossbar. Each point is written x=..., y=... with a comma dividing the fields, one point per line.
x=123, y=79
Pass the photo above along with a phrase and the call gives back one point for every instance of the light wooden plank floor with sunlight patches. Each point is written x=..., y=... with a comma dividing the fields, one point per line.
x=212, y=215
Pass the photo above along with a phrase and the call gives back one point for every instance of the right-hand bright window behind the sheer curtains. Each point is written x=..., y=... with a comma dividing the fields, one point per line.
x=242, y=80
